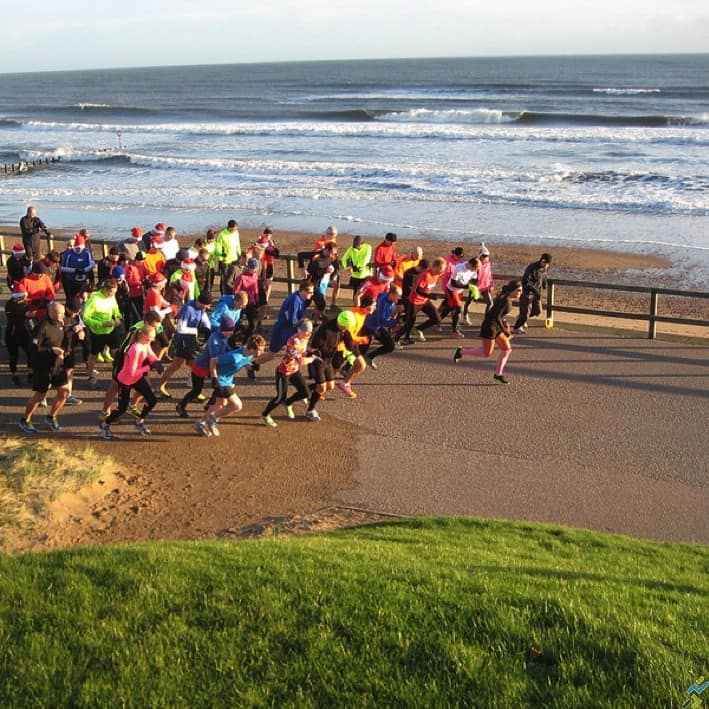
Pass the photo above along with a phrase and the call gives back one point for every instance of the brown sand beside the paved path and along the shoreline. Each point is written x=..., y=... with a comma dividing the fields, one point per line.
x=255, y=481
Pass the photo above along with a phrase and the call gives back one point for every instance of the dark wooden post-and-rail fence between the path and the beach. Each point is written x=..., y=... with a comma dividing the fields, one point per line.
x=651, y=316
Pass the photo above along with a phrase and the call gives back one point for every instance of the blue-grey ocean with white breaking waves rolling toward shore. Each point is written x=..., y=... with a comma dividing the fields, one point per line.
x=609, y=152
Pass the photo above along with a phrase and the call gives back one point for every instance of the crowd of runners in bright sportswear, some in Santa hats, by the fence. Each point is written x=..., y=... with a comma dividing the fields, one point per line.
x=153, y=308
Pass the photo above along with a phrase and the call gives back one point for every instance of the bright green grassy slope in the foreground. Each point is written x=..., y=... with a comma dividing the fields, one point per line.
x=412, y=613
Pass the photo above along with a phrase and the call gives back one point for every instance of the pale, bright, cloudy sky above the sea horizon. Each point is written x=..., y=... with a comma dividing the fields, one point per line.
x=36, y=35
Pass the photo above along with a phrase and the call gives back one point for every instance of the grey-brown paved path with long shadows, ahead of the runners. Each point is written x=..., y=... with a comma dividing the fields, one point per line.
x=595, y=431
